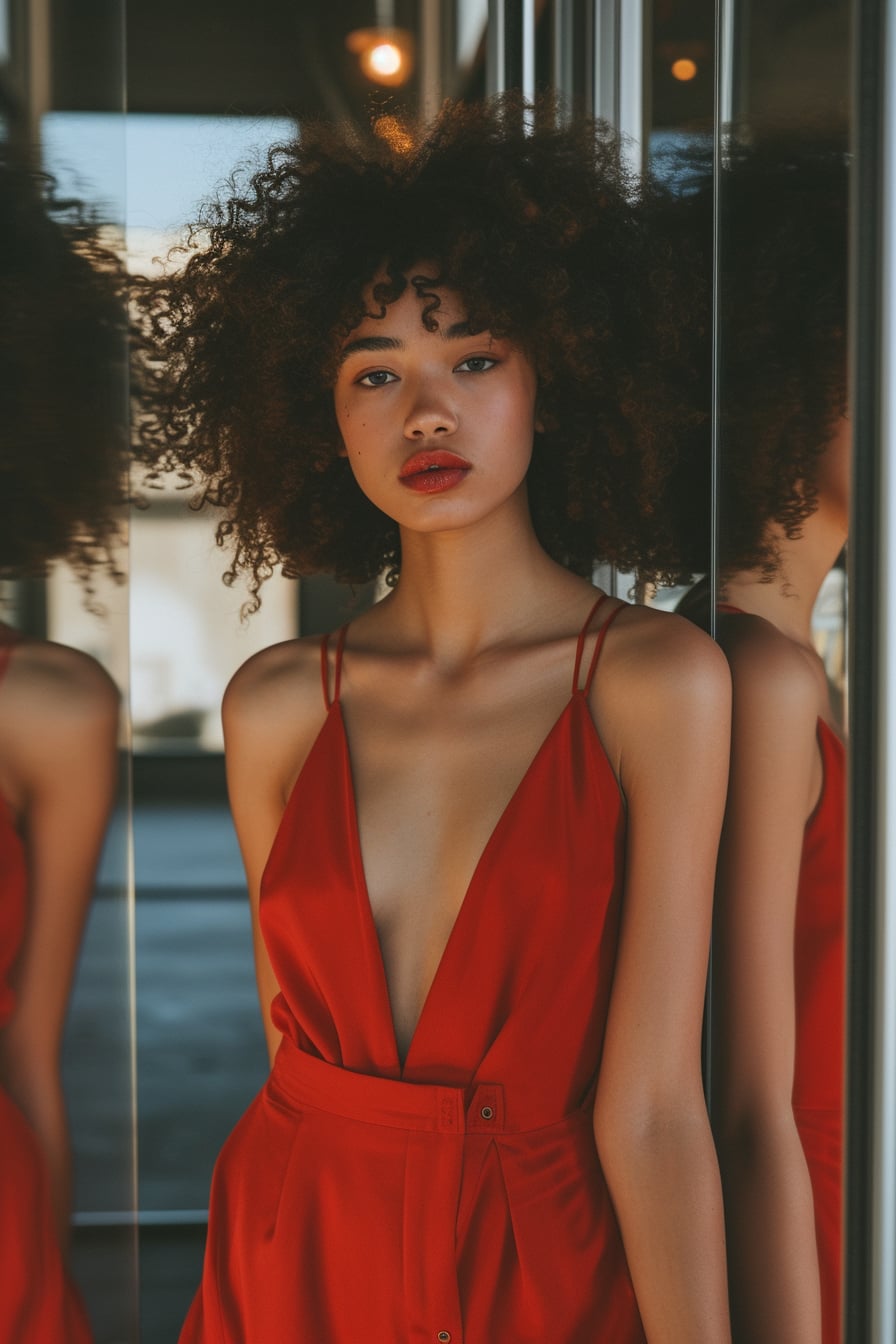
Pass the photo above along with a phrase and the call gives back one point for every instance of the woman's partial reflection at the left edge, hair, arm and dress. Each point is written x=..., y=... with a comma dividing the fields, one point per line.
x=61, y=342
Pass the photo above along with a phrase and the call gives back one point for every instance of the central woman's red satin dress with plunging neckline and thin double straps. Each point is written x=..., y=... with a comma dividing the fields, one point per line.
x=459, y=1198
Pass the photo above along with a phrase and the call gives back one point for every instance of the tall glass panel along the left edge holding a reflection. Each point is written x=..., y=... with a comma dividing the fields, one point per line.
x=64, y=620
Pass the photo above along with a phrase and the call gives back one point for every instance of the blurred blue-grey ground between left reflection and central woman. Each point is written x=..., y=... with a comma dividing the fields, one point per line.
x=199, y=1060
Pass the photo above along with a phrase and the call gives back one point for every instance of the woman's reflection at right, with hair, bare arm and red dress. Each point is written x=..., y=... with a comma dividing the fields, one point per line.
x=778, y=960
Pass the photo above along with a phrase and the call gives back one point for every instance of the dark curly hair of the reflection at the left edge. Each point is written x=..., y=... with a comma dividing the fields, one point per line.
x=64, y=366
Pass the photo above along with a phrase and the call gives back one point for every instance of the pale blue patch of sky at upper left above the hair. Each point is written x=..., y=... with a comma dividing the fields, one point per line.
x=155, y=169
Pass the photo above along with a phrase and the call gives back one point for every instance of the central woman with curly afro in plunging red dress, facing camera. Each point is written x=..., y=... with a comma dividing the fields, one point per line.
x=480, y=823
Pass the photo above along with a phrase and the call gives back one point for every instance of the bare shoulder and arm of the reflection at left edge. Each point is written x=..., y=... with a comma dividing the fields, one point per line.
x=60, y=741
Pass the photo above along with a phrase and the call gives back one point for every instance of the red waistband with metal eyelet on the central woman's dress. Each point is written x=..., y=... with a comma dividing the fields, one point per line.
x=306, y=1081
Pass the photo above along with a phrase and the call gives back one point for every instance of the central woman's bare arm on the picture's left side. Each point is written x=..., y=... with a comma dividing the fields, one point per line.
x=272, y=713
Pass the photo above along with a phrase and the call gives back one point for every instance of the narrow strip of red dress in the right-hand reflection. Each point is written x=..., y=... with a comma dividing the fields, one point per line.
x=820, y=984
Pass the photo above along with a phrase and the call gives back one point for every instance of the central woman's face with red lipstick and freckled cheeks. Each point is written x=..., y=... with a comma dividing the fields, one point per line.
x=437, y=425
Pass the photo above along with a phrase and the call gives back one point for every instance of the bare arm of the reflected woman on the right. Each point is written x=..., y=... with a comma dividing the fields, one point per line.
x=773, y=1260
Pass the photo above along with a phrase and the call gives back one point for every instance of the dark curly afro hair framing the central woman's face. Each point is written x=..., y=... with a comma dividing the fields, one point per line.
x=538, y=228
